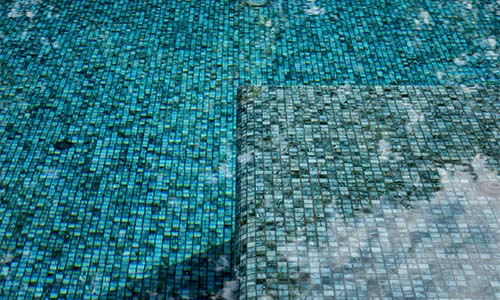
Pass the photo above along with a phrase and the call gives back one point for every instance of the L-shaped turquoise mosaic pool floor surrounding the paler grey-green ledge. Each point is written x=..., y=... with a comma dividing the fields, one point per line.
x=117, y=125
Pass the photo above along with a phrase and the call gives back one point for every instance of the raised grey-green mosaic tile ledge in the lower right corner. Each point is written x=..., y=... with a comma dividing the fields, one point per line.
x=368, y=192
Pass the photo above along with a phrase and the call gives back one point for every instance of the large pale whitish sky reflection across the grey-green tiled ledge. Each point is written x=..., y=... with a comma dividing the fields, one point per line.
x=445, y=247
